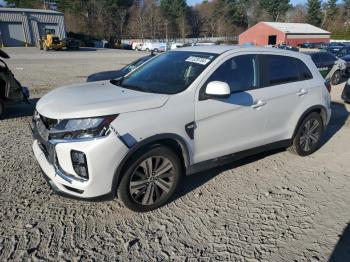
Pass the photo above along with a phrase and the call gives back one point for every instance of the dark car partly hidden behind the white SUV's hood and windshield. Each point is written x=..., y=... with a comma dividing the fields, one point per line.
x=108, y=75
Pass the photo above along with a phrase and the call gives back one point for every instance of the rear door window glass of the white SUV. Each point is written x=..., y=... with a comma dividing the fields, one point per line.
x=281, y=70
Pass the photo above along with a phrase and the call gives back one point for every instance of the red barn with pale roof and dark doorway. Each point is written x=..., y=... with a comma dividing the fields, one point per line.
x=293, y=34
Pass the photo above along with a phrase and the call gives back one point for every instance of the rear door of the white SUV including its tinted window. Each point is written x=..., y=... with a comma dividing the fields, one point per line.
x=285, y=79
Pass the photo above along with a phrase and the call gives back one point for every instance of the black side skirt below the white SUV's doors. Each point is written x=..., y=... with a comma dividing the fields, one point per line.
x=219, y=161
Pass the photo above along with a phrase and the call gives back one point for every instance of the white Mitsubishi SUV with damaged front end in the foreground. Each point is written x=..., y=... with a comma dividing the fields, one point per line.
x=181, y=112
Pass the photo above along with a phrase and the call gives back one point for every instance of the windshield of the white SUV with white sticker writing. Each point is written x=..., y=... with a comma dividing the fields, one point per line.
x=169, y=73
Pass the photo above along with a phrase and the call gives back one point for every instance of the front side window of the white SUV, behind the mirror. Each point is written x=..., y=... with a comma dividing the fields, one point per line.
x=239, y=72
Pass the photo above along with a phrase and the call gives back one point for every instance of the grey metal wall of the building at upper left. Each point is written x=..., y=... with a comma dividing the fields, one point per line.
x=31, y=21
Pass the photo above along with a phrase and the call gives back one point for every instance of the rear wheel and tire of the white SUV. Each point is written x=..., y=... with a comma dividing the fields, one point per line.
x=308, y=136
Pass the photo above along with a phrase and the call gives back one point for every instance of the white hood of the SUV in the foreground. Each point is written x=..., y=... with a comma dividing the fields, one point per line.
x=96, y=99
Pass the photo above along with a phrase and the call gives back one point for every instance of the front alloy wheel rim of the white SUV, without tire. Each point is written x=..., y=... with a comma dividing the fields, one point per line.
x=152, y=180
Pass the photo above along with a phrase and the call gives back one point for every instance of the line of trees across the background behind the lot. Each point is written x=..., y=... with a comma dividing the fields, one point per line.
x=167, y=19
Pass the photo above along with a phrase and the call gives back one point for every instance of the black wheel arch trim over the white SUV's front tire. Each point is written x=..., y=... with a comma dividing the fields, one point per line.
x=172, y=141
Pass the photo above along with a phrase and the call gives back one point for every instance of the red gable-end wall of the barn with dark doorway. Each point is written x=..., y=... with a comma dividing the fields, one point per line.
x=259, y=35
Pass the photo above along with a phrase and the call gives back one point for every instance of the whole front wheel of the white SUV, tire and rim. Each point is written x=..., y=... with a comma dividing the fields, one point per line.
x=150, y=179
